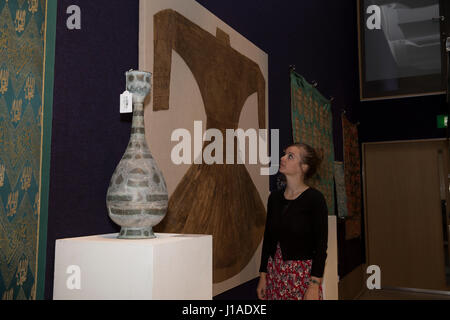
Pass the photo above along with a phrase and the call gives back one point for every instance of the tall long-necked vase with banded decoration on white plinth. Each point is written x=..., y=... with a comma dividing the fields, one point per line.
x=137, y=196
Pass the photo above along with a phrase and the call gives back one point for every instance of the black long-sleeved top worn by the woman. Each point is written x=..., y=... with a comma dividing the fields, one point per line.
x=301, y=228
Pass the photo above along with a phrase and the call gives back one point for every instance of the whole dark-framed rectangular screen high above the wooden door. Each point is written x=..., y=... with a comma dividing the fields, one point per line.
x=401, y=48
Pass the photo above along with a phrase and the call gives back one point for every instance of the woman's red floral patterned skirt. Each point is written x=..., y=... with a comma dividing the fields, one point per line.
x=288, y=280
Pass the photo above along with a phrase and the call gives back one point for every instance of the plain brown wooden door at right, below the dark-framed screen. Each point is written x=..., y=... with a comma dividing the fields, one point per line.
x=404, y=221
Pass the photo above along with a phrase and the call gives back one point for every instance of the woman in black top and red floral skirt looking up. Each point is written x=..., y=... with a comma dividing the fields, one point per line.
x=296, y=235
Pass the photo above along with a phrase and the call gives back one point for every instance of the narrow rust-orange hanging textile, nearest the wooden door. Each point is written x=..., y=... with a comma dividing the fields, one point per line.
x=352, y=169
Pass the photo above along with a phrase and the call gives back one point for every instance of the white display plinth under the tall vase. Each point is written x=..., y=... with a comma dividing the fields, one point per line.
x=170, y=267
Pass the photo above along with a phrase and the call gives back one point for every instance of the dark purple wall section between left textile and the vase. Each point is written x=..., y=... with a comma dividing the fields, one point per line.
x=88, y=137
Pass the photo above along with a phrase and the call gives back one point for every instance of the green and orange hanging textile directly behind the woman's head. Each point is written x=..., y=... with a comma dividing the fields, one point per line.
x=312, y=124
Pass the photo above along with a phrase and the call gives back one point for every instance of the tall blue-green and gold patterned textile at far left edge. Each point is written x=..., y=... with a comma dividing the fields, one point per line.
x=22, y=145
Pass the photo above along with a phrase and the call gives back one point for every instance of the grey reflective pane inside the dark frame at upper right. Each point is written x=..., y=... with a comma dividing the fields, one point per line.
x=408, y=42
